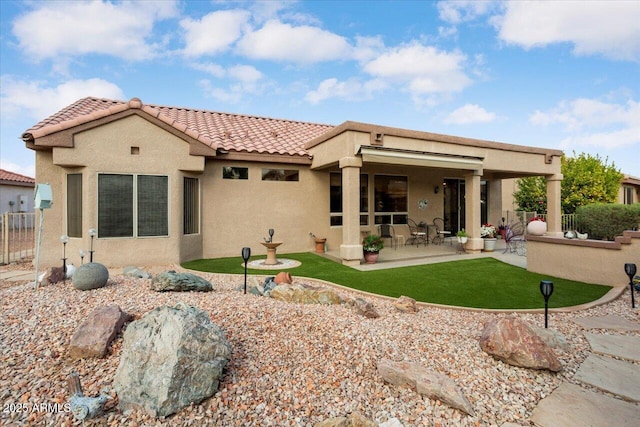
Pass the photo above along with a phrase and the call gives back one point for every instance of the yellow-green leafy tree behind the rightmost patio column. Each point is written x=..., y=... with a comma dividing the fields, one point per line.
x=586, y=179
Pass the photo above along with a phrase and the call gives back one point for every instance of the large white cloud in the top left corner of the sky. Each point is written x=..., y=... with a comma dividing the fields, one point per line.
x=73, y=28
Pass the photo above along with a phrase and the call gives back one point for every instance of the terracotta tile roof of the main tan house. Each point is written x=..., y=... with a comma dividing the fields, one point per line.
x=231, y=132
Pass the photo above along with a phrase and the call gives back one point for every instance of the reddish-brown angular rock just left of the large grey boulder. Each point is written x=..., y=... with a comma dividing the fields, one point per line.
x=93, y=337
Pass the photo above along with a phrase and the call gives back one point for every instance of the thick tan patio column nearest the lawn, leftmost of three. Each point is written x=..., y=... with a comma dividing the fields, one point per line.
x=351, y=247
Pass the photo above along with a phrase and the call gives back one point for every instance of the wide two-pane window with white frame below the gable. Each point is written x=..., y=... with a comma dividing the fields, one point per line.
x=131, y=205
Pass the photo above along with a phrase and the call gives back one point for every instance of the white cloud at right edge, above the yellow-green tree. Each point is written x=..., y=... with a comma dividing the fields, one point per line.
x=594, y=123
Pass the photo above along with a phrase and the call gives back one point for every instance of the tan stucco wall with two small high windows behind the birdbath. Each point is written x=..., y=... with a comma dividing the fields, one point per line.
x=239, y=213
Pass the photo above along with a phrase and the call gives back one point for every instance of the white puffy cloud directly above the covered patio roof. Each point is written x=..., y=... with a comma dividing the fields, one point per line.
x=425, y=69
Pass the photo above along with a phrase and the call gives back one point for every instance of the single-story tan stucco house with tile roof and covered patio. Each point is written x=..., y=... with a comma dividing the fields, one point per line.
x=165, y=185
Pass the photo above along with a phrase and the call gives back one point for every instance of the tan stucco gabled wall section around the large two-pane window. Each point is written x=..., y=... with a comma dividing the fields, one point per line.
x=107, y=149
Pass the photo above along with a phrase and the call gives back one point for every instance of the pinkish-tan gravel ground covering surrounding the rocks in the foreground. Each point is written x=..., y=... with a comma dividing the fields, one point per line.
x=291, y=364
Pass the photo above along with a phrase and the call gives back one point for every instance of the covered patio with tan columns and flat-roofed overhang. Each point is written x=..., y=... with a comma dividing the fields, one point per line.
x=383, y=175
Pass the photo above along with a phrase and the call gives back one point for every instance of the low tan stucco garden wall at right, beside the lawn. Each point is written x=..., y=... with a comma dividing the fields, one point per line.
x=585, y=261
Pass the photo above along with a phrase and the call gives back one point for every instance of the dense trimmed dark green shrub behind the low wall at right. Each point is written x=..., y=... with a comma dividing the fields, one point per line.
x=605, y=221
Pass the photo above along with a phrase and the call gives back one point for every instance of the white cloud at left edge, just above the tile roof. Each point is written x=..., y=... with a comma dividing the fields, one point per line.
x=35, y=100
